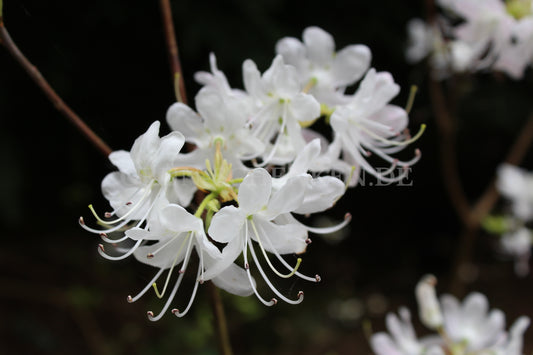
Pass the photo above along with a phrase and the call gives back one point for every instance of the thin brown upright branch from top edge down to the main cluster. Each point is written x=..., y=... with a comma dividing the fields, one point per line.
x=173, y=54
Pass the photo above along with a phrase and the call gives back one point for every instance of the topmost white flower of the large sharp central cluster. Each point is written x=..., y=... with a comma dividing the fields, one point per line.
x=328, y=72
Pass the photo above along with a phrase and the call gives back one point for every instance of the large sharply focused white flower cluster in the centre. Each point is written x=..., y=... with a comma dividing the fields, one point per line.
x=250, y=168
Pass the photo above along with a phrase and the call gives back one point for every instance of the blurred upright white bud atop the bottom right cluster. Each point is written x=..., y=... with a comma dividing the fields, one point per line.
x=428, y=305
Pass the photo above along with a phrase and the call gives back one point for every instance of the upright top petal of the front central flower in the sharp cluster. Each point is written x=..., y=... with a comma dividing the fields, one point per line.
x=254, y=191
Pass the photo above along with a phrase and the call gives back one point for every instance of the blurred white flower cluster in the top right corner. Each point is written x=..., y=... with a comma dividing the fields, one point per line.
x=475, y=35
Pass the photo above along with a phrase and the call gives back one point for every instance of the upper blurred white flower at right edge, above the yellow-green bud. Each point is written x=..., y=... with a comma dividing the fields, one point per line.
x=516, y=184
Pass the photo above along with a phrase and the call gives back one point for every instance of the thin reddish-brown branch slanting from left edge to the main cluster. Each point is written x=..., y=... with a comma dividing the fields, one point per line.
x=59, y=104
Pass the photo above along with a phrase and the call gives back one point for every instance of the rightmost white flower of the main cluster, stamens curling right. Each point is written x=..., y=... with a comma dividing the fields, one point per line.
x=368, y=124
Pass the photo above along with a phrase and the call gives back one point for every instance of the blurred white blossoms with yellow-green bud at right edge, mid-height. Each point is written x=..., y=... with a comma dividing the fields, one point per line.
x=516, y=185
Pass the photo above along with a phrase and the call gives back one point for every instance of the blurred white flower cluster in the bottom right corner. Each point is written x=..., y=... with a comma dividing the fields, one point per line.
x=465, y=328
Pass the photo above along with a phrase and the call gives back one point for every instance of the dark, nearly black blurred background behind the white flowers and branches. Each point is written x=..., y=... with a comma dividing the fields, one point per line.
x=107, y=59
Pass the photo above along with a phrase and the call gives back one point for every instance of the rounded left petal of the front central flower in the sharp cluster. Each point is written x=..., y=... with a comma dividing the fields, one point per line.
x=226, y=224
